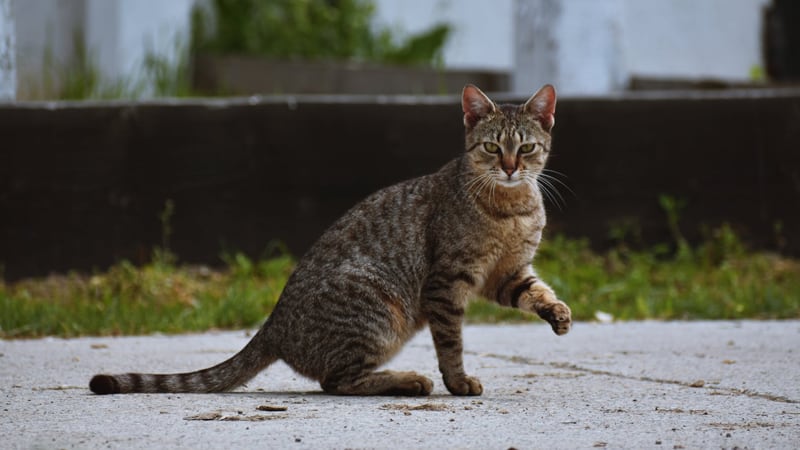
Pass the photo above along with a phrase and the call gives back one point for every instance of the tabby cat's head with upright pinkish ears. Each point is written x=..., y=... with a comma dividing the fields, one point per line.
x=508, y=145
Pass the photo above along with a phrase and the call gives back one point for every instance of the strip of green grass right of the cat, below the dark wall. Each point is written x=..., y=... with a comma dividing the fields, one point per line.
x=716, y=280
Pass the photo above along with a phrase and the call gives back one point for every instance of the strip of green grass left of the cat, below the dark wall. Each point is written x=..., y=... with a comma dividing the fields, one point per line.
x=160, y=297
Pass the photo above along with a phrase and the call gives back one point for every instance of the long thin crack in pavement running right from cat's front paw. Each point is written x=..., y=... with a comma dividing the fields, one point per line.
x=577, y=368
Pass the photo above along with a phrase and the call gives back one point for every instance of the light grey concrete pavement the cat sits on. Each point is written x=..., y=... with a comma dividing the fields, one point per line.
x=664, y=385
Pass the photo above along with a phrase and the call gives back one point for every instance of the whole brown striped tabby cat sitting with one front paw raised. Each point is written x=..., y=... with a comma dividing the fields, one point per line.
x=409, y=255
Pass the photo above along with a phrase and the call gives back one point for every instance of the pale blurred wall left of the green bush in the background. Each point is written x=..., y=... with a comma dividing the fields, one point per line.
x=116, y=33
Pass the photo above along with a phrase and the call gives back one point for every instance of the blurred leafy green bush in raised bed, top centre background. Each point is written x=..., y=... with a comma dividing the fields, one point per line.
x=340, y=30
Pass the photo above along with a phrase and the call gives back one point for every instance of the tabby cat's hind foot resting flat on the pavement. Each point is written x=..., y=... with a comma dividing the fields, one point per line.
x=386, y=382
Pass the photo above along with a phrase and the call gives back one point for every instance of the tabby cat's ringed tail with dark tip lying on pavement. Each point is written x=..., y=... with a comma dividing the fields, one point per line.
x=237, y=370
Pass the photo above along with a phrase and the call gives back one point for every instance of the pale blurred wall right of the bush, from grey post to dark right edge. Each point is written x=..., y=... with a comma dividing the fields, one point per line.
x=596, y=47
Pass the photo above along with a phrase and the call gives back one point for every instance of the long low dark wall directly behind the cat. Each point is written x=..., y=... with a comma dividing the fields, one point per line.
x=82, y=185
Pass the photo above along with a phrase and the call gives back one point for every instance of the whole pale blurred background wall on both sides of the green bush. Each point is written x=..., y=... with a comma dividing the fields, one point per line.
x=581, y=46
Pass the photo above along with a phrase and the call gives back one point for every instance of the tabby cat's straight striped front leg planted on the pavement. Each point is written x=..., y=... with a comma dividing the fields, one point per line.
x=444, y=310
